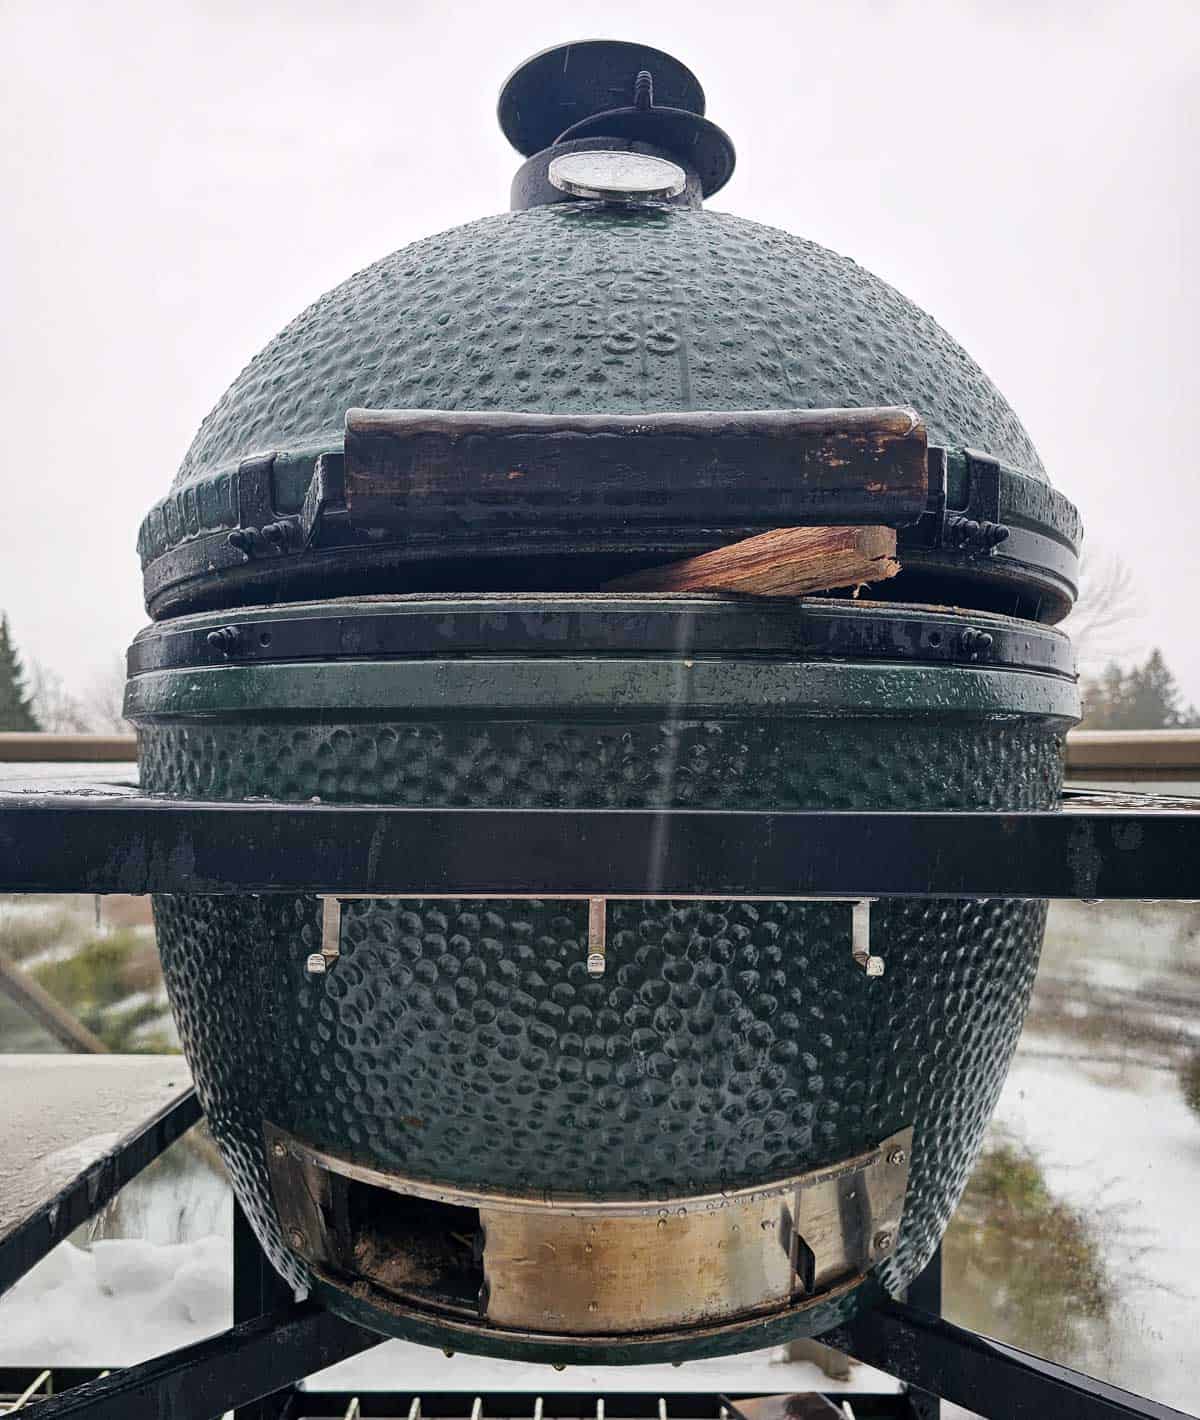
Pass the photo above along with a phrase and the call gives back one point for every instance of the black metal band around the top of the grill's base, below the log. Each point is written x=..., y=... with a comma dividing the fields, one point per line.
x=681, y=626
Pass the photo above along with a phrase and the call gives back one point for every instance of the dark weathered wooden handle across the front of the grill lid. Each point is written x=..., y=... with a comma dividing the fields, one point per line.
x=795, y=466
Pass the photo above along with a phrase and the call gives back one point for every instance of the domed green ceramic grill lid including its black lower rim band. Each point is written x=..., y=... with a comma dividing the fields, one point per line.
x=596, y=309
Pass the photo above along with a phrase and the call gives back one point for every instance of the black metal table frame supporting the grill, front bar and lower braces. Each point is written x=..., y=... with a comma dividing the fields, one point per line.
x=111, y=839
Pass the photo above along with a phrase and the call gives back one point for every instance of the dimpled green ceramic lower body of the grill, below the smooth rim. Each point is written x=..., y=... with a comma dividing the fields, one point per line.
x=726, y=1044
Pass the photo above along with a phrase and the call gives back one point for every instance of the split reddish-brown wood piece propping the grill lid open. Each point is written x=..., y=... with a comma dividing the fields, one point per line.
x=782, y=563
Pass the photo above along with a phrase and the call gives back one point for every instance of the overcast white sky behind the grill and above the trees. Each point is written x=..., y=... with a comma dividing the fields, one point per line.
x=181, y=178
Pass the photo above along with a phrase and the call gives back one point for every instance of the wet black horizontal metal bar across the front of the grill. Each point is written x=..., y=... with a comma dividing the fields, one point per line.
x=111, y=839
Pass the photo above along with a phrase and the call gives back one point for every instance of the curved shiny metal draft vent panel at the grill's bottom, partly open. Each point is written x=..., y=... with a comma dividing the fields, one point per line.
x=591, y=1267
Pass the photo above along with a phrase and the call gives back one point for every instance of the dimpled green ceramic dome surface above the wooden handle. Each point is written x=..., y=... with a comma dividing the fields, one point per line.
x=579, y=307
